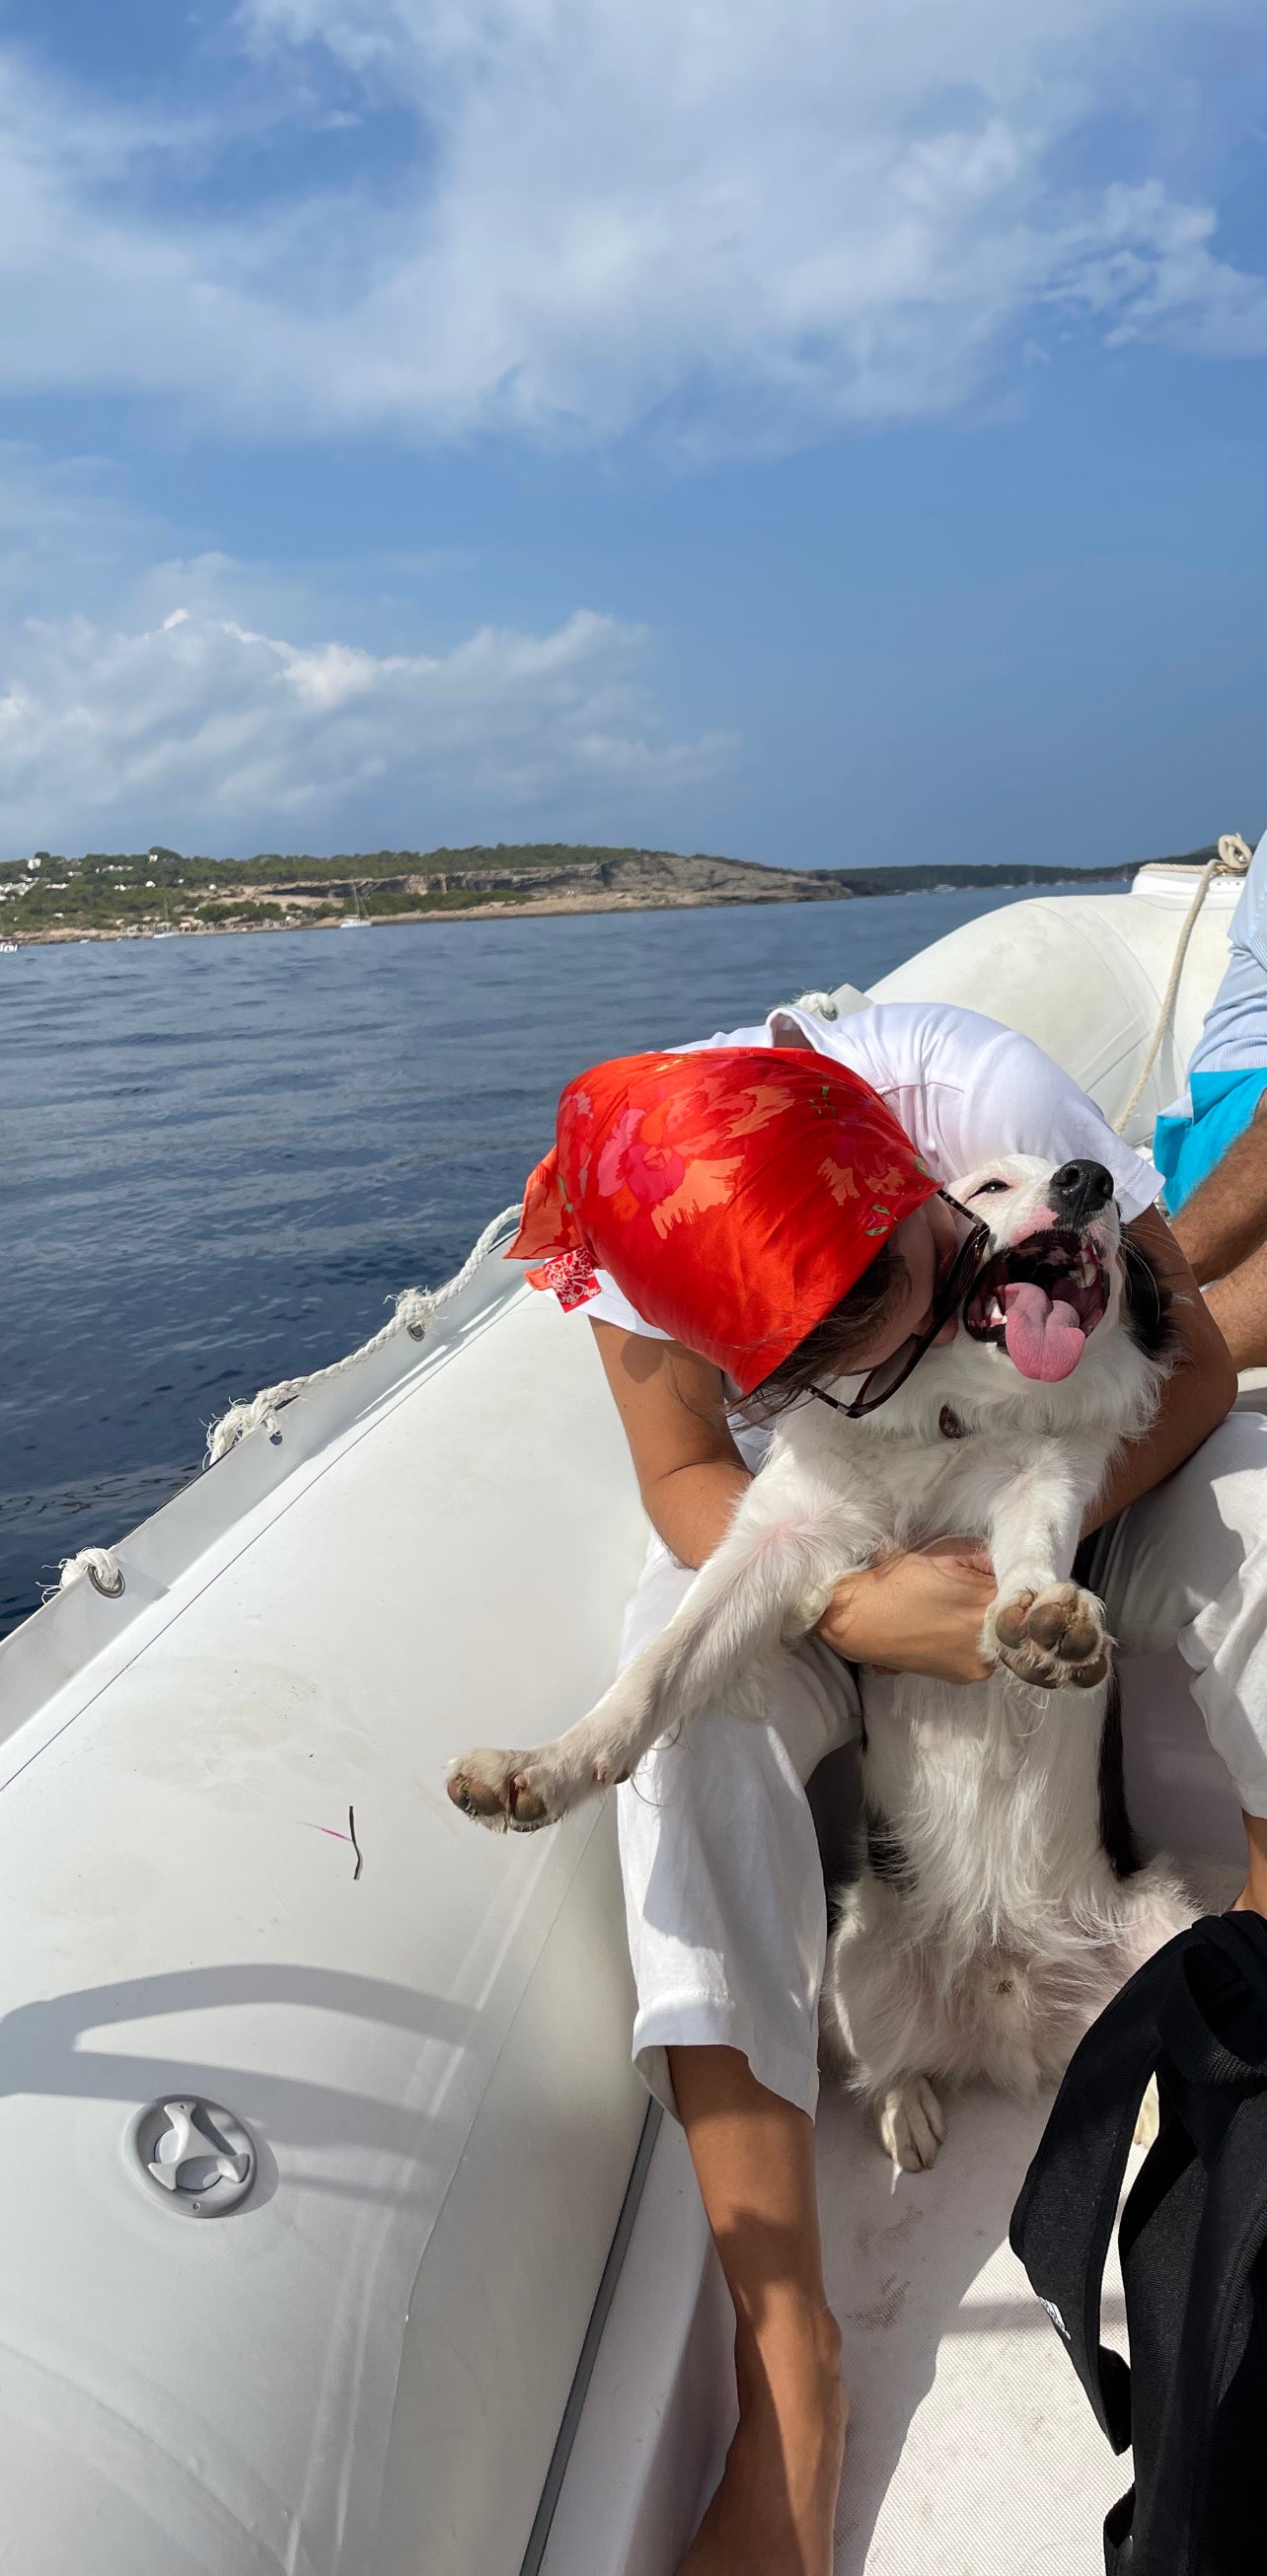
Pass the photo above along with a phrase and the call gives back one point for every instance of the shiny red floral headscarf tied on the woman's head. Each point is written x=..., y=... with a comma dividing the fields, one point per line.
x=730, y=1194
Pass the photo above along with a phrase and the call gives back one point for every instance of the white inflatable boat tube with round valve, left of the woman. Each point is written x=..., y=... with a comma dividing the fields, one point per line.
x=416, y=2047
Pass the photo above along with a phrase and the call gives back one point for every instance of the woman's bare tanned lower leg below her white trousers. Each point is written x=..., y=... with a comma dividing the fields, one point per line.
x=753, y=2160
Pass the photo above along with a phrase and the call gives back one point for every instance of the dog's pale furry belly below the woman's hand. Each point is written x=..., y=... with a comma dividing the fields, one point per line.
x=998, y=1928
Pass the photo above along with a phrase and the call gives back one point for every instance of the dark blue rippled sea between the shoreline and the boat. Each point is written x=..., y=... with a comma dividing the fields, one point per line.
x=223, y=1155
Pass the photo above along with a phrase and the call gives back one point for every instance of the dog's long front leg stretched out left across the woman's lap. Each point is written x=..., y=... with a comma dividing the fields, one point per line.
x=771, y=1578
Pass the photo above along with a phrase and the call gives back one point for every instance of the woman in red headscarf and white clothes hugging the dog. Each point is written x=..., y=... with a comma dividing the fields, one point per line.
x=717, y=1284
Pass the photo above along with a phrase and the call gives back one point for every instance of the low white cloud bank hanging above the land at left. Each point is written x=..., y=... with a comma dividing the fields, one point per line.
x=225, y=707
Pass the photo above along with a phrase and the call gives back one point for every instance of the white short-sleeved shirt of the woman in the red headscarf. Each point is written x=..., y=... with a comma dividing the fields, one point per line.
x=959, y=1086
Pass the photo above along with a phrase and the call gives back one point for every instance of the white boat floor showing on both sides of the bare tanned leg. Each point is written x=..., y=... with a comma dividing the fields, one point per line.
x=972, y=2446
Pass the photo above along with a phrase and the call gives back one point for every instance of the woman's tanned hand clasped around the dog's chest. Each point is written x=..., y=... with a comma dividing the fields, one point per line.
x=915, y=1614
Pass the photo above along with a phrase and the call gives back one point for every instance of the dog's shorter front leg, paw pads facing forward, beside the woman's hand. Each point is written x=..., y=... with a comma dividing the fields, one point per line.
x=1044, y=1627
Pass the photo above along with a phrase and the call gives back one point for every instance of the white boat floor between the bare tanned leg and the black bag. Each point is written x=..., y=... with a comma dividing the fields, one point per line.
x=972, y=2446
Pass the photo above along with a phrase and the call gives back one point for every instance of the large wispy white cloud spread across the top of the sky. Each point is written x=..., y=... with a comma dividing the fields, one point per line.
x=740, y=218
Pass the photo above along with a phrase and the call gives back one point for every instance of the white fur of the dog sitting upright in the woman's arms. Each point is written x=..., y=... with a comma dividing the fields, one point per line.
x=990, y=1926
